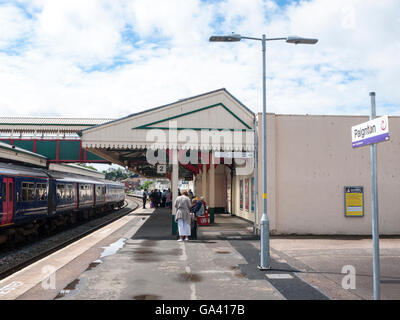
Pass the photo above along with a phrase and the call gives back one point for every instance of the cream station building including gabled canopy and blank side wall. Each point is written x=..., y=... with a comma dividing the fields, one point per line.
x=317, y=183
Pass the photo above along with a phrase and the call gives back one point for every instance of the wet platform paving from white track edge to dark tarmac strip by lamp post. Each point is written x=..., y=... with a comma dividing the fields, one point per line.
x=137, y=258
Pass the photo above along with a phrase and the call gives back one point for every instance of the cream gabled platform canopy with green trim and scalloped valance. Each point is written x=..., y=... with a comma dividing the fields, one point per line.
x=213, y=121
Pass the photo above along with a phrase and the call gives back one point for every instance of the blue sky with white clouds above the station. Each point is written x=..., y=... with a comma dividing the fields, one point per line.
x=108, y=59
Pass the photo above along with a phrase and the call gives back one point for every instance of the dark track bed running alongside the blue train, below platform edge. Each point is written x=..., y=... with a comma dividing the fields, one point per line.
x=18, y=256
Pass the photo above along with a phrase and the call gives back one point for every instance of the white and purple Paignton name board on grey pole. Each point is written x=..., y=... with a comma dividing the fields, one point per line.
x=373, y=131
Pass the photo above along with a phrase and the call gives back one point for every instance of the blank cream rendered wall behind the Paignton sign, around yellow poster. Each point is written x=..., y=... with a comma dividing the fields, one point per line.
x=310, y=160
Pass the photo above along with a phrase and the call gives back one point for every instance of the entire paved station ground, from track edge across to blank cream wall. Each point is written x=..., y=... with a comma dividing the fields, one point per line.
x=137, y=258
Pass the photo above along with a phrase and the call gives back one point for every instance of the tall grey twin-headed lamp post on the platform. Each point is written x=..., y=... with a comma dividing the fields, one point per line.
x=264, y=223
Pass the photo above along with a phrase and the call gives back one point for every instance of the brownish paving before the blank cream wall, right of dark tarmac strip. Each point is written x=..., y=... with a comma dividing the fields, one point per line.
x=324, y=263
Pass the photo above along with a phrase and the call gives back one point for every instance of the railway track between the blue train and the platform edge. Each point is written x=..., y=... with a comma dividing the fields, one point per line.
x=16, y=260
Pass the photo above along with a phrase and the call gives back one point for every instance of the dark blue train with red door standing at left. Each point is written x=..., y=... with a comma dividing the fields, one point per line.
x=29, y=197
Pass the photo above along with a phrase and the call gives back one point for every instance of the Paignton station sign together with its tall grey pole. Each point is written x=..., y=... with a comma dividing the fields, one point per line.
x=370, y=133
